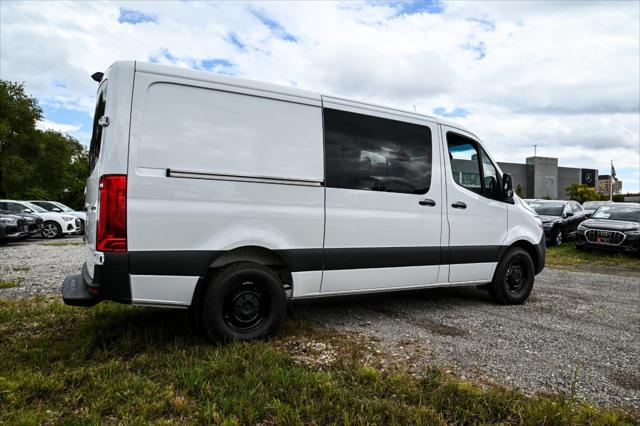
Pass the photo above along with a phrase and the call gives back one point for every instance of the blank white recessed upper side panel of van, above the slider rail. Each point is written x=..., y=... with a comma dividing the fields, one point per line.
x=202, y=130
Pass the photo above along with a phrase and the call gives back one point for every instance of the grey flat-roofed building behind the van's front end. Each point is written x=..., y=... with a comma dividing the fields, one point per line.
x=541, y=177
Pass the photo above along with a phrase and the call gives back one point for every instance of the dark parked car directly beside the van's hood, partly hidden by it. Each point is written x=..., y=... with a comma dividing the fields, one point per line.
x=560, y=219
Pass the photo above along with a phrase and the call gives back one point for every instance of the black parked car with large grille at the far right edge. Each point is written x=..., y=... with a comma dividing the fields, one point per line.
x=614, y=226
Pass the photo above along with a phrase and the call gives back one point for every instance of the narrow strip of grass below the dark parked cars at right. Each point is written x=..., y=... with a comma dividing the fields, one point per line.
x=567, y=255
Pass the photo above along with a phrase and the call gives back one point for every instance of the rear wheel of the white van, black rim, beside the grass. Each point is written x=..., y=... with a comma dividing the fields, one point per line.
x=243, y=301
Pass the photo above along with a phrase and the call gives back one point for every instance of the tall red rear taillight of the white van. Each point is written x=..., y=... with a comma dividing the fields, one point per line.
x=112, y=218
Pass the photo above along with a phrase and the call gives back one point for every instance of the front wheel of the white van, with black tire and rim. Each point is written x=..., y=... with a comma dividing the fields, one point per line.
x=513, y=280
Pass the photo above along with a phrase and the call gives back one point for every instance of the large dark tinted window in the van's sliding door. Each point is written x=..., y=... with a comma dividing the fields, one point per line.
x=376, y=154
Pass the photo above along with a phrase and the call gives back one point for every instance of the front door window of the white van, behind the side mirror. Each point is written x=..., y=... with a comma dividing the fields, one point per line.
x=464, y=162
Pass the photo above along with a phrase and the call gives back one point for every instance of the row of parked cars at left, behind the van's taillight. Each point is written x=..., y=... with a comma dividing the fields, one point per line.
x=49, y=219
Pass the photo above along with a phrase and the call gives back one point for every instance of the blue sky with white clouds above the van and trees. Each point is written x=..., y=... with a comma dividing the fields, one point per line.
x=562, y=75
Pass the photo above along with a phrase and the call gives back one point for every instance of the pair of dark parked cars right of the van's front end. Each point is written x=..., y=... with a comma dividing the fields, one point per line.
x=594, y=224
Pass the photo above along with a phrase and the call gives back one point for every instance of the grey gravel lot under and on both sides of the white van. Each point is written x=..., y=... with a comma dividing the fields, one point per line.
x=576, y=327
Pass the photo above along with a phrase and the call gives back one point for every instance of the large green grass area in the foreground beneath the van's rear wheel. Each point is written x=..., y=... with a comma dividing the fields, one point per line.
x=121, y=364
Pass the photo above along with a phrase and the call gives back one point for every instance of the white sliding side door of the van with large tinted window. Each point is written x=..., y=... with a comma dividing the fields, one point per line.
x=383, y=199
